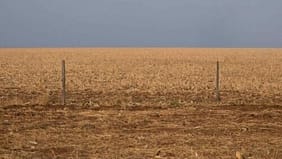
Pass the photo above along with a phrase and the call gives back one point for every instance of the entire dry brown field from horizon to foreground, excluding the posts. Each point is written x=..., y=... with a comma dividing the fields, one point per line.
x=141, y=103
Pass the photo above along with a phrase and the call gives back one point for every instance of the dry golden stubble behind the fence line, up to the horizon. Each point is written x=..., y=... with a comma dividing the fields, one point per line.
x=248, y=76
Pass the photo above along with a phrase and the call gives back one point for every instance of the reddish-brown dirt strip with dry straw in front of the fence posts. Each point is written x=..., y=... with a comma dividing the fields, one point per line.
x=140, y=132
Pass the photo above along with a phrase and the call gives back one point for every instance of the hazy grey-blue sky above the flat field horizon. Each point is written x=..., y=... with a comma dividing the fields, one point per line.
x=140, y=23
